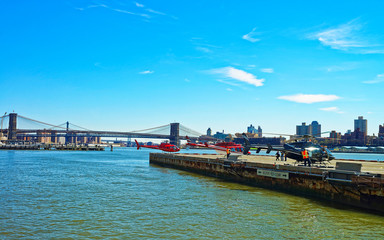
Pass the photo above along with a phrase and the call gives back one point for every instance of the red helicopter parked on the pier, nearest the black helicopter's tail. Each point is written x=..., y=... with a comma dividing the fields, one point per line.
x=221, y=147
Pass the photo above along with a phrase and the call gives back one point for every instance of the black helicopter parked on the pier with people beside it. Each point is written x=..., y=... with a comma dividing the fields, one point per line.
x=299, y=149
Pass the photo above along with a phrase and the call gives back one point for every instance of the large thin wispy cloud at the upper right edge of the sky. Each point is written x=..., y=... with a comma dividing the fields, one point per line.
x=348, y=37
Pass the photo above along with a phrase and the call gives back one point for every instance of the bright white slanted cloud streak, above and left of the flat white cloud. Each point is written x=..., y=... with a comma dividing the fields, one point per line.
x=239, y=75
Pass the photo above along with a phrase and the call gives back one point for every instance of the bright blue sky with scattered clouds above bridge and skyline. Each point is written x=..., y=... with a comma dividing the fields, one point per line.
x=129, y=65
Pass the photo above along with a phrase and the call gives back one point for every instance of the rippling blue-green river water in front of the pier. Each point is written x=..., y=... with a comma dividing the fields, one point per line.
x=119, y=195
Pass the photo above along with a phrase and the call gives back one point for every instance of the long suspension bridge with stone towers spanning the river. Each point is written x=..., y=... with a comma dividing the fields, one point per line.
x=21, y=128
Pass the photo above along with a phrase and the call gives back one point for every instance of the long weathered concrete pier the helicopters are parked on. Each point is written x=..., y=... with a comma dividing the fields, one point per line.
x=354, y=183
